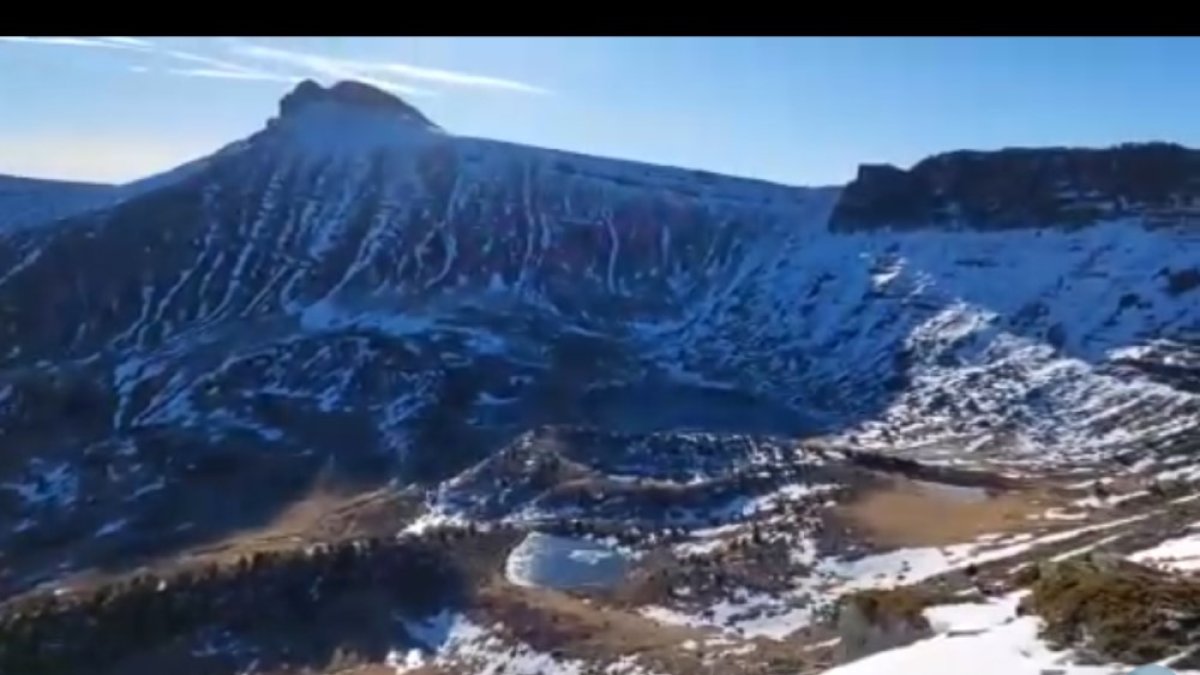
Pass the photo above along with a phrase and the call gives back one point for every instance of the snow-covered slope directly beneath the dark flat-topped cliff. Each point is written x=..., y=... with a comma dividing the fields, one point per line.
x=1021, y=338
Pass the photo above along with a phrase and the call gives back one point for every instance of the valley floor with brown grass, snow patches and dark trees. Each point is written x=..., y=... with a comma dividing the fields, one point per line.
x=754, y=581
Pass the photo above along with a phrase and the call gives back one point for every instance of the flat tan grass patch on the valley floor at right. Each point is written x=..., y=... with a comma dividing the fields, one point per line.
x=903, y=513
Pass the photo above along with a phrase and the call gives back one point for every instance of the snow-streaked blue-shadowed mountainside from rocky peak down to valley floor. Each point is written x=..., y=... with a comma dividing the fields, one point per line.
x=355, y=283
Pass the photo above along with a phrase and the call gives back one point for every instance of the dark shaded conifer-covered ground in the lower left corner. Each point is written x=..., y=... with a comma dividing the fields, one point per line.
x=350, y=626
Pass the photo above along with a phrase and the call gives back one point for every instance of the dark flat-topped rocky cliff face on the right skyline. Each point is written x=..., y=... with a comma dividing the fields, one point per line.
x=1028, y=188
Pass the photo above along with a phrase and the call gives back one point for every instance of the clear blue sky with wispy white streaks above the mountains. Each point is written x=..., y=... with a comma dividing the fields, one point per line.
x=799, y=111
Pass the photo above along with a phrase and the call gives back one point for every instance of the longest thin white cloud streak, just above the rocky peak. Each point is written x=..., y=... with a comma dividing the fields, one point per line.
x=353, y=69
